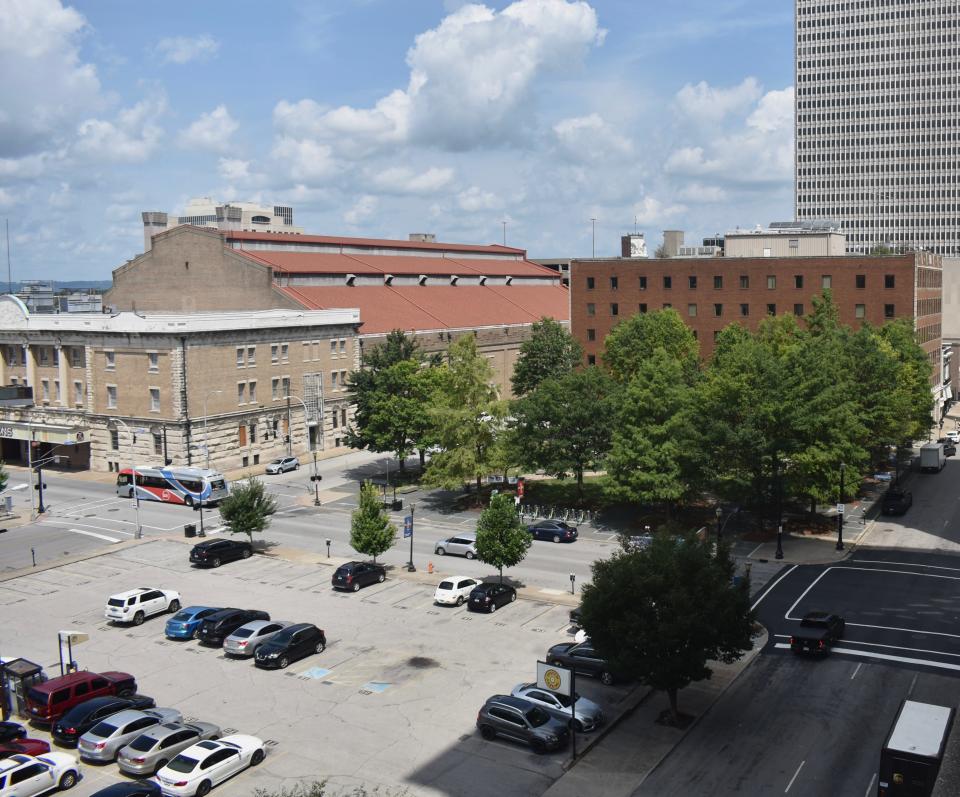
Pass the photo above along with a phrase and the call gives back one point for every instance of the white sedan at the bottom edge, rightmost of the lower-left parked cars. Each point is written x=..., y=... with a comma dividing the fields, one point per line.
x=199, y=768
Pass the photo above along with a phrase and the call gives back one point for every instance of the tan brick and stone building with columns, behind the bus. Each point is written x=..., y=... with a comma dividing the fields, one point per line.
x=113, y=390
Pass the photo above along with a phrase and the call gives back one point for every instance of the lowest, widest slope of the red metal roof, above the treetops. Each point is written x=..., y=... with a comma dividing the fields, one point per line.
x=411, y=308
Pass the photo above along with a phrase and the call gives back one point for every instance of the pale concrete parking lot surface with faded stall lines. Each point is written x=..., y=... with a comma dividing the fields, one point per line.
x=392, y=701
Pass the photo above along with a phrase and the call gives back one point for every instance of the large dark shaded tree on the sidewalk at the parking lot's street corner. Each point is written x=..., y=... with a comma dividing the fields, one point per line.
x=661, y=614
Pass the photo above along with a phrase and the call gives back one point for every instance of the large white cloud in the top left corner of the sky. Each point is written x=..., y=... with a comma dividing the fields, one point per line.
x=47, y=88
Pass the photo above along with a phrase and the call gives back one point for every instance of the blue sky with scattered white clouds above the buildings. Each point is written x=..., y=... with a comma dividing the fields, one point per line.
x=379, y=118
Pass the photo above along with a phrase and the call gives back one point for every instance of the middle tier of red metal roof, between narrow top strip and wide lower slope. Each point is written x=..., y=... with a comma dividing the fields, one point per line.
x=331, y=263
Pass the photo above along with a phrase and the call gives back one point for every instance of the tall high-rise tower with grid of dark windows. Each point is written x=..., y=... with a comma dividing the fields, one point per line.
x=877, y=121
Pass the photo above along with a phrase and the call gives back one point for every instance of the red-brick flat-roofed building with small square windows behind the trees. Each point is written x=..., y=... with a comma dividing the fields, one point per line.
x=710, y=293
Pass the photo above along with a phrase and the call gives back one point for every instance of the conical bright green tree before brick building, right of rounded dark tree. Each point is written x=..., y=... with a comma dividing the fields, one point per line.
x=650, y=457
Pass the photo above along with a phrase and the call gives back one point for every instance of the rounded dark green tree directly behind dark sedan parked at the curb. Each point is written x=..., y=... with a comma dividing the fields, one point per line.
x=563, y=426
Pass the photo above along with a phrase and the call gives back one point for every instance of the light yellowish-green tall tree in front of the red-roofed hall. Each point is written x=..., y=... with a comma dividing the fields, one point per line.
x=467, y=418
